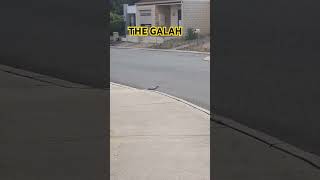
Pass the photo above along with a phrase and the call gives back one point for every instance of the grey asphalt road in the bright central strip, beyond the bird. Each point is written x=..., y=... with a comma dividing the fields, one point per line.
x=184, y=75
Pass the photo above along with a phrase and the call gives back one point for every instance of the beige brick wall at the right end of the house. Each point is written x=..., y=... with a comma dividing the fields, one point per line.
x=196, y=14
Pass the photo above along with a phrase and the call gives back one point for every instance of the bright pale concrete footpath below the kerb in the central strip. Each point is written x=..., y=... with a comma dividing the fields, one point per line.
x=155, y=138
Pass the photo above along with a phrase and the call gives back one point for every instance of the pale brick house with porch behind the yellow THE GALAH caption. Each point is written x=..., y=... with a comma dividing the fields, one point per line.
x=193, y=14
